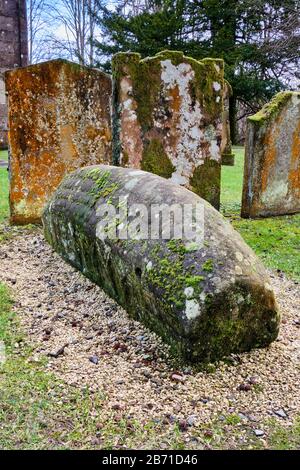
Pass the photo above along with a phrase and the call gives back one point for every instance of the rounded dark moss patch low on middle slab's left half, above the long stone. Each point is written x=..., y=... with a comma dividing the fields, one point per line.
x=155, y=159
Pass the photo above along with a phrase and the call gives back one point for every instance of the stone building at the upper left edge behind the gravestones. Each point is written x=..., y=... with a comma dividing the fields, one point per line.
x=13, y=50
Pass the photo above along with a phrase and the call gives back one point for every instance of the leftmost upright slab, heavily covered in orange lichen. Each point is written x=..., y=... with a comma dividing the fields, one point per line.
x=59, y=120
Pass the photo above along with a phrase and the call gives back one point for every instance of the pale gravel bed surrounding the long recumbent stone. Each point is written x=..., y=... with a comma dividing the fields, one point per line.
x=90, y=341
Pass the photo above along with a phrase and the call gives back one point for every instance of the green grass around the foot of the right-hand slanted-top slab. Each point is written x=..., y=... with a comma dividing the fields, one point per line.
x=276, y=240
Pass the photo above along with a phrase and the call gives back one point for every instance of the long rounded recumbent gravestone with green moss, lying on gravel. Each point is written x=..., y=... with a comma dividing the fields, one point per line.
x=205, y=299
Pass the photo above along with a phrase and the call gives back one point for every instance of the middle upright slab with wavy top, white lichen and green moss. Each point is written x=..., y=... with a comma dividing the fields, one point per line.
x=167, y=113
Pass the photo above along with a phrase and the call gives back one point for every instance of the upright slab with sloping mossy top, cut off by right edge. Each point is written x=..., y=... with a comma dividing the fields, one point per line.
x=272, y=162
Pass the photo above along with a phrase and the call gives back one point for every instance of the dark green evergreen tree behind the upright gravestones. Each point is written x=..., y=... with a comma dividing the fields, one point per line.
x=259, y=41
